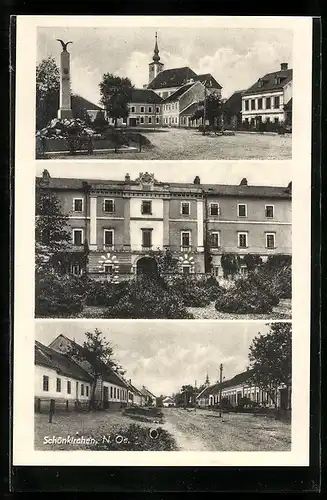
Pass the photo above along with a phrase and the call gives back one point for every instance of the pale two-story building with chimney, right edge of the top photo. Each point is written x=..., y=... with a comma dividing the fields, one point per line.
x=268, y=98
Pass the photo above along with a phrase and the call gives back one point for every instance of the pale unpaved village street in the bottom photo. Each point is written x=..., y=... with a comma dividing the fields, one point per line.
x=203, y=430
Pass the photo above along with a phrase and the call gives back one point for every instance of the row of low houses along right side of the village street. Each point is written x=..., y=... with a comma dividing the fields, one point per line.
x=241, y=387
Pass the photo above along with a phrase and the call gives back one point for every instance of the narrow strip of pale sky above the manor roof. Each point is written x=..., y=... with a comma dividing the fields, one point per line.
x=229, y=172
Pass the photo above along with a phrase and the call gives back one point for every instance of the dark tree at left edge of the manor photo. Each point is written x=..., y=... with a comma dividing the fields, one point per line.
x=51, y=233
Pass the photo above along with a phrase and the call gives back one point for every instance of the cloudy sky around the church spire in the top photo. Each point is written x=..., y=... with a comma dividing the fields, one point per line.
x=235, y=57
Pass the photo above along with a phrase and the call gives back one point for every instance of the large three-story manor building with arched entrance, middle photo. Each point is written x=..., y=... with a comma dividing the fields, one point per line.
x=126, y=222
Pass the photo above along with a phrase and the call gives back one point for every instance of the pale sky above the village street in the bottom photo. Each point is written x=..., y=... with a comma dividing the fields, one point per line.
x=164, y=355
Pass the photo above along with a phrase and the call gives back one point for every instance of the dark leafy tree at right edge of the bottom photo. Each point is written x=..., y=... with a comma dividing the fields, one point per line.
x=270, y=357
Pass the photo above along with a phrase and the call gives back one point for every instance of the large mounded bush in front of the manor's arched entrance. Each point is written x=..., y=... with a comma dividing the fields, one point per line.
x=147, y=298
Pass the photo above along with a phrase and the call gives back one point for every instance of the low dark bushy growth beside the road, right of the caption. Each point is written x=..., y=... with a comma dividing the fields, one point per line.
x=138, y=439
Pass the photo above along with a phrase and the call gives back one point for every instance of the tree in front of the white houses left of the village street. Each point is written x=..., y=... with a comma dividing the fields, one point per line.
x=96, y=353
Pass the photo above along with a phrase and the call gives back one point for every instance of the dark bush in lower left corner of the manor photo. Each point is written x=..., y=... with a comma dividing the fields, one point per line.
x=57, y=296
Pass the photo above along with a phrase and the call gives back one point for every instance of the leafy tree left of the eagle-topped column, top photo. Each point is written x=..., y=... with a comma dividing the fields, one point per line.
x=47, y=91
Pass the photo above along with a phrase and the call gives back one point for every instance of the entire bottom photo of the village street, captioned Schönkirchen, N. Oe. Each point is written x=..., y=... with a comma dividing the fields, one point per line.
x=162, y=386
